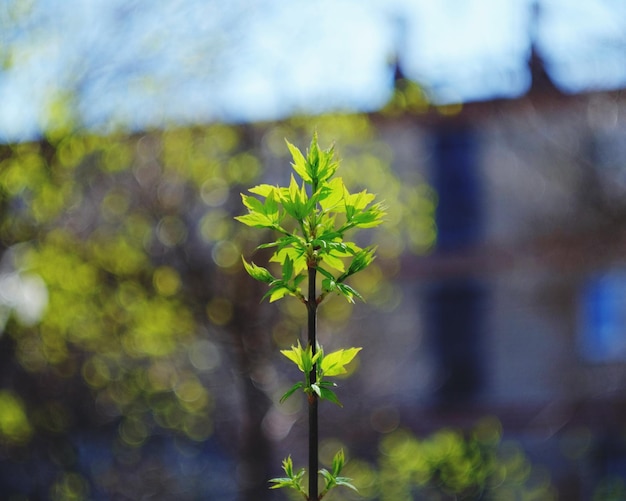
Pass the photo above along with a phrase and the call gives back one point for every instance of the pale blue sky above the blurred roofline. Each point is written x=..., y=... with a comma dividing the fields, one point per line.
x=145, y=63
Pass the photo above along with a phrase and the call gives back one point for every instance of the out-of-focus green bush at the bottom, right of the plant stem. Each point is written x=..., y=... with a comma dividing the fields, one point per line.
x=450, y=465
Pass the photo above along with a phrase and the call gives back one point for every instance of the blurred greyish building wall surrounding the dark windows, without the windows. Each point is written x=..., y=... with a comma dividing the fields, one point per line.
x=550, y=221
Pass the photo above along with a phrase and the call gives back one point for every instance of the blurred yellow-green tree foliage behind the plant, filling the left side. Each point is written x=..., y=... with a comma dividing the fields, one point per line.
x=100, y=220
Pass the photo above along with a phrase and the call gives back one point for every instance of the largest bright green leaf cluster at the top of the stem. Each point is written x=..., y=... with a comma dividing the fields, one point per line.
x=311, y=218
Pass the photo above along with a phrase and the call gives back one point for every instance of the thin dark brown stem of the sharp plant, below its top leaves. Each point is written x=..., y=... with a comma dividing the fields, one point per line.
x=312, y=397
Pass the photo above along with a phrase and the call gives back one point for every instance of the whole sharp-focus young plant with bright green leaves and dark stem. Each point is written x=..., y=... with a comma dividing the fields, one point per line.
x=311, y=218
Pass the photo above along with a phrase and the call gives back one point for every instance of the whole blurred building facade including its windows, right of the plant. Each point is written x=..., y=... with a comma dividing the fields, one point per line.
x=521, y=305
